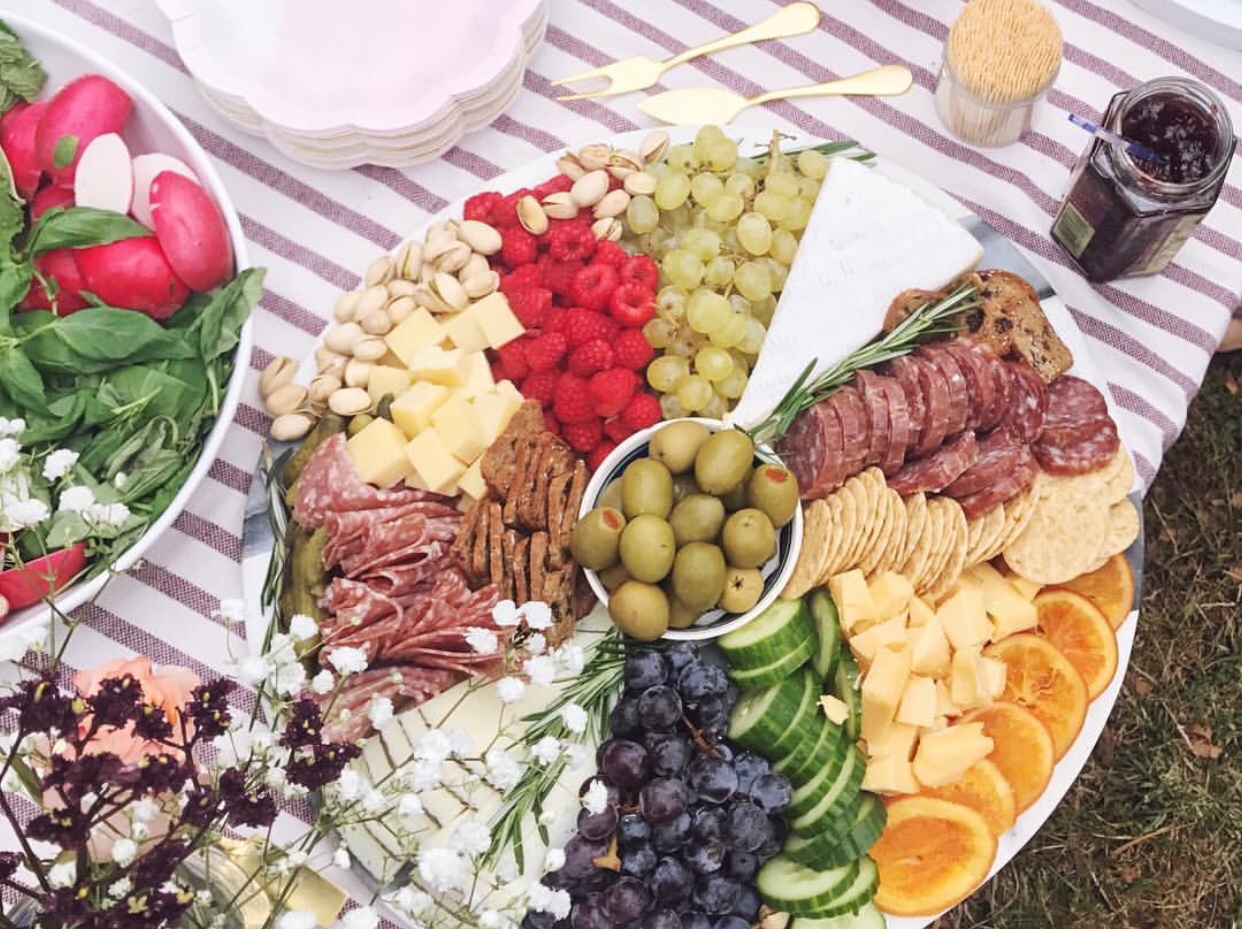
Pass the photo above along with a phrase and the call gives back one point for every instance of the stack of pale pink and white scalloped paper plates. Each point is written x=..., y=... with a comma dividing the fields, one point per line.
x=336, y=85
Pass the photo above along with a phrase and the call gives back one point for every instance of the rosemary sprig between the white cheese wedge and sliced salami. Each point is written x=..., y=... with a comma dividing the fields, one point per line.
x=928, y=320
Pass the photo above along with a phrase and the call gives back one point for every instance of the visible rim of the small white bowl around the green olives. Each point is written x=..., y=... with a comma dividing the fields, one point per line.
x=777, y=571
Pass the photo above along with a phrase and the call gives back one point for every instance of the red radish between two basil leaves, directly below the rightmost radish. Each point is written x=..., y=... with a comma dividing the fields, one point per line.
x=134, y=274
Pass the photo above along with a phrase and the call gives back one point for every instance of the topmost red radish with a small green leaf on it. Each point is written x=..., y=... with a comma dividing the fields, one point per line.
x=79, y=114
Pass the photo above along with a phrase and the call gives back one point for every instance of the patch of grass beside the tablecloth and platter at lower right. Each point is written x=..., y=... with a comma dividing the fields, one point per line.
x=1151, y=835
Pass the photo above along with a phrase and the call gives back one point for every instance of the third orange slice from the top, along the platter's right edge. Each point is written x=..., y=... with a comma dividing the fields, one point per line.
x=1043, y=680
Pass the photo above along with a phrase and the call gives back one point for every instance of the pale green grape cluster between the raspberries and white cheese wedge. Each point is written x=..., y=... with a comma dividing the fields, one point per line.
x=725, y=230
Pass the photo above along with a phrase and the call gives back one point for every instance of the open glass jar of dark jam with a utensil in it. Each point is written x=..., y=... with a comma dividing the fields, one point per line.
x=1126, y=217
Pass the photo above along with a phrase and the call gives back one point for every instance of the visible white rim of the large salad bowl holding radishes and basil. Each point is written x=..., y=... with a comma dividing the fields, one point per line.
x=151, y=129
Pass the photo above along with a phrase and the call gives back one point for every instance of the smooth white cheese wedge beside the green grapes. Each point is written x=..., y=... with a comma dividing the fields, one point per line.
x=869, y=239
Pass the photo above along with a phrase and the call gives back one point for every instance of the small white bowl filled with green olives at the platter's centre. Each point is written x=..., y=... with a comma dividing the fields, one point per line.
x=687, y=531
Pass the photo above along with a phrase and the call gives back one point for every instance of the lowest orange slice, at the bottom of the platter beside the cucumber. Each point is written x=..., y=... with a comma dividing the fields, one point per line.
x=933, y=855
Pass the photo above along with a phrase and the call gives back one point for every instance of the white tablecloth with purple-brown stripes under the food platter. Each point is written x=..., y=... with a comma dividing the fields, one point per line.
x=317, y=230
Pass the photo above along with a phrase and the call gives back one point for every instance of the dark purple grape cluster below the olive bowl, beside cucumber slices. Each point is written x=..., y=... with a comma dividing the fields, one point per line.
x=689, y=820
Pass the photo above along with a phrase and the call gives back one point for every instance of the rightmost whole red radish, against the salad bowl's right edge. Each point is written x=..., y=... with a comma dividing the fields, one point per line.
x=192, y=230
